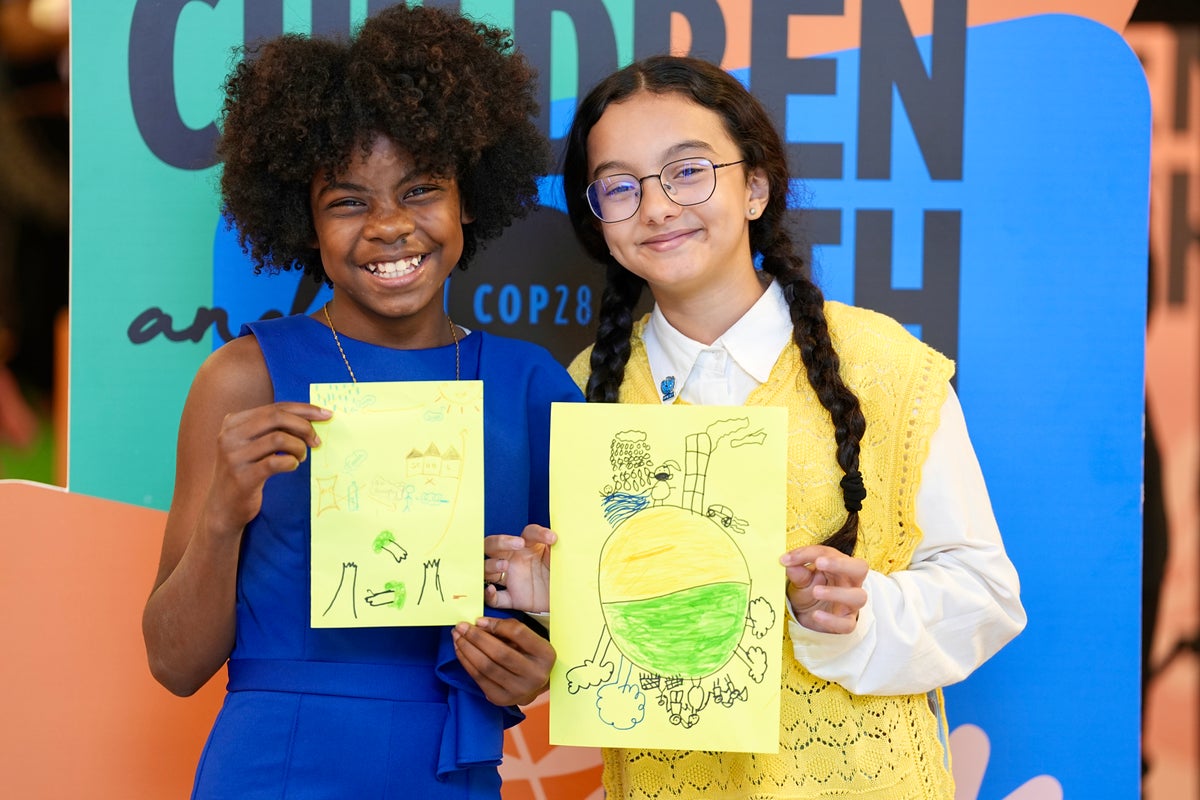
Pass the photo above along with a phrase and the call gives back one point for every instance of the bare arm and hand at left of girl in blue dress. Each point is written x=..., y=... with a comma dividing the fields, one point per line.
x=232, y=438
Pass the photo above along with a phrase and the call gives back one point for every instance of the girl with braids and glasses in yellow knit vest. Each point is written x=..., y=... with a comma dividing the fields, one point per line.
x=898, y=582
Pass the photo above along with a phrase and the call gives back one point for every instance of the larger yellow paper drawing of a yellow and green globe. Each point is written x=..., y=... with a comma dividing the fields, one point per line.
x=665, y=586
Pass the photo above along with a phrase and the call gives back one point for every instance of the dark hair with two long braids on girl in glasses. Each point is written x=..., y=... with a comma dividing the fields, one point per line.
x=752, y=129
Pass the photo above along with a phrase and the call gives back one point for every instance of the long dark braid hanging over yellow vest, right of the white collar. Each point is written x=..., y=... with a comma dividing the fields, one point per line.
x=821, y=363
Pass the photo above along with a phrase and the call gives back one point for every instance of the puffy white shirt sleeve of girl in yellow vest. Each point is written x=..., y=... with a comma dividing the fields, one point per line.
x=958, y=604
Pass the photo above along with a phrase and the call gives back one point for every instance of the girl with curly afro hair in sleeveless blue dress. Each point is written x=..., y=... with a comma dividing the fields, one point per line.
x=376, y=165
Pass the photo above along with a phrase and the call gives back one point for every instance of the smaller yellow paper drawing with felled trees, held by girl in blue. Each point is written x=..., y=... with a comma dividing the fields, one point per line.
x=398, y=504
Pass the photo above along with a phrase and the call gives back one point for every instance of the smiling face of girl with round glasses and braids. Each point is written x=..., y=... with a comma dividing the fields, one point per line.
x=685, y=254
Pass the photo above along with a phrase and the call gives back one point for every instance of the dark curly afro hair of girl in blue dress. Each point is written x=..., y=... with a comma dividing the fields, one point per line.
x=451, y=92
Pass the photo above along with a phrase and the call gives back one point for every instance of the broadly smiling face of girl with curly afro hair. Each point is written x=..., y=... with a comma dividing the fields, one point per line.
x=389, y=237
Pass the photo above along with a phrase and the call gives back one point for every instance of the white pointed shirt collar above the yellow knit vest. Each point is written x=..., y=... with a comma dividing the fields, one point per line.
x=754, y=342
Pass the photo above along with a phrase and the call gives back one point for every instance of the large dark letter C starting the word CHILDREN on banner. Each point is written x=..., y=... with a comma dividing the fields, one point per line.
x=153, y=88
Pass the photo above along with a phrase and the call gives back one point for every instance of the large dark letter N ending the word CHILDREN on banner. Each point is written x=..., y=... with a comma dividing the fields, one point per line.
x=934, y=101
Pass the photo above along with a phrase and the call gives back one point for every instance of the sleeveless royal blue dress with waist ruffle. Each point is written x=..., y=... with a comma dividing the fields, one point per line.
x=370, y=713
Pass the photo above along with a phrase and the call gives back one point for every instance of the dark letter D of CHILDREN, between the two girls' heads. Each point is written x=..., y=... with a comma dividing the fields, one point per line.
x=596, y=40
